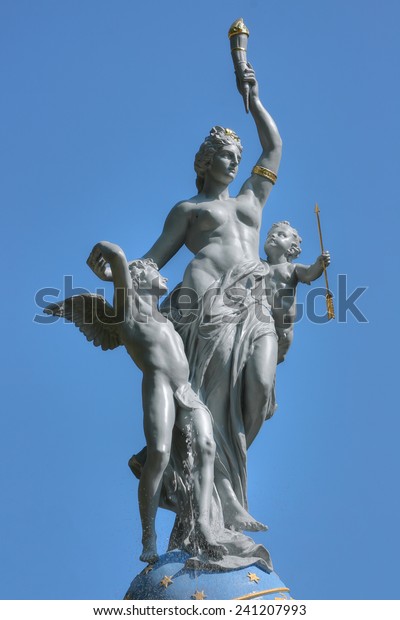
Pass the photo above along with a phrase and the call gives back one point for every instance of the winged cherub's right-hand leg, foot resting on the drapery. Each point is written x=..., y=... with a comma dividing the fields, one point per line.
x=203, y=446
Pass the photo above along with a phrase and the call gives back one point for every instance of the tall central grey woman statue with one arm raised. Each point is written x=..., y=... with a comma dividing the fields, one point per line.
x=223, y=234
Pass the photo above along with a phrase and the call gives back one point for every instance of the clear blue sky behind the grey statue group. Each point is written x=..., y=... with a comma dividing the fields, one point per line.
x=103, y=107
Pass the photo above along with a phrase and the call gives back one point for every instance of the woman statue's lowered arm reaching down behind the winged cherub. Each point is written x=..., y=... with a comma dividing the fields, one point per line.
x=173, y=235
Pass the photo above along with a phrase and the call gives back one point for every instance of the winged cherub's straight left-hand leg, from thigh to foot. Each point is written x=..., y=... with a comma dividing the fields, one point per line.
x=159, y=418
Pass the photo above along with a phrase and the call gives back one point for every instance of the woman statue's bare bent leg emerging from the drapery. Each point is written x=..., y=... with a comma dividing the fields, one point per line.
x=259, y=386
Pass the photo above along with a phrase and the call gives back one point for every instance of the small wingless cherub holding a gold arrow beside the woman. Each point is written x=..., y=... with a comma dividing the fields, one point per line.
x=282, y=245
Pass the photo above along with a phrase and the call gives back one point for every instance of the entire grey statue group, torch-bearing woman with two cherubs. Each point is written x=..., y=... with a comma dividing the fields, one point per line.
x=209, y=353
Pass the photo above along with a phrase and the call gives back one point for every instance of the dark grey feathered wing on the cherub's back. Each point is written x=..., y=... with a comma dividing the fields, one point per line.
x=94, y=317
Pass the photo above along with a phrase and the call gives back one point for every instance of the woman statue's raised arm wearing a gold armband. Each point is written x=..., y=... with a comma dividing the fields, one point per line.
x=264, y=173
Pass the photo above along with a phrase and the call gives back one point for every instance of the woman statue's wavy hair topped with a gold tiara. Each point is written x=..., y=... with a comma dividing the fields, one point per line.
x=218, y=138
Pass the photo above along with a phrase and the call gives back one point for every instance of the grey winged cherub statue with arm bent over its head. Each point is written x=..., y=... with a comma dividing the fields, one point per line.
x=150, y=339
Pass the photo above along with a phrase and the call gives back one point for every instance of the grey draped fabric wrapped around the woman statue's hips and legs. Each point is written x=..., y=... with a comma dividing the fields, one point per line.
x=219, y=337
